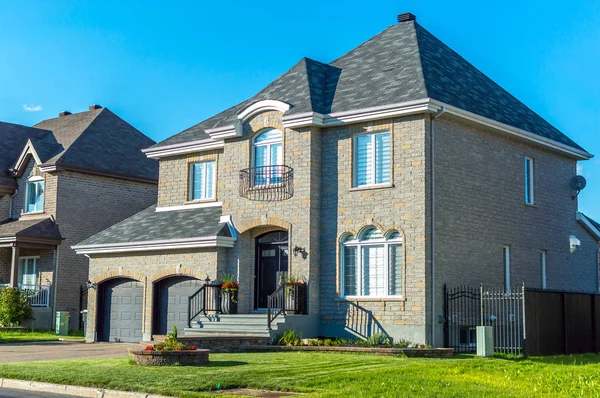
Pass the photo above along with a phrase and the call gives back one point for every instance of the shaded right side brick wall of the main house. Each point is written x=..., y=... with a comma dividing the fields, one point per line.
x=480, y=207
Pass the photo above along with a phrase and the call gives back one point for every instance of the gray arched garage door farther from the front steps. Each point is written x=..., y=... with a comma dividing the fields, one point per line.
x=122, y=310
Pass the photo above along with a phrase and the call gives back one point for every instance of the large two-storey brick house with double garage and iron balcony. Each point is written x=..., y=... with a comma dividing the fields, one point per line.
x=377, y=178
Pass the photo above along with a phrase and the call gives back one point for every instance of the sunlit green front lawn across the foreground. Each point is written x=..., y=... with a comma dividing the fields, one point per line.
x=333, y=375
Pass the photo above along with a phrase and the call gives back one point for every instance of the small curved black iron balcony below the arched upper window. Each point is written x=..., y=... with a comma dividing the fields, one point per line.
x=267, y=183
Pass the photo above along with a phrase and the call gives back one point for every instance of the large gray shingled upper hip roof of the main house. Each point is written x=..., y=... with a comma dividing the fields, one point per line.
x=403, y=63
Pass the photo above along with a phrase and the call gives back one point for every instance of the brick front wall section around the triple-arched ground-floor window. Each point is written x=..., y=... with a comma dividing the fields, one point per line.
x=401, y=207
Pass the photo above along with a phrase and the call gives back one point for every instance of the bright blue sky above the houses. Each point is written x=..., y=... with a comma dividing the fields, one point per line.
x=164, y=66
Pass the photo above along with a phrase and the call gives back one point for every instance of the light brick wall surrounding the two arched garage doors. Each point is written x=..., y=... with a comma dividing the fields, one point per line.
x=149, y=268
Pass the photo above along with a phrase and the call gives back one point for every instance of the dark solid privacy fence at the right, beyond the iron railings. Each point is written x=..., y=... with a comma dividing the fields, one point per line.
x=562, y=322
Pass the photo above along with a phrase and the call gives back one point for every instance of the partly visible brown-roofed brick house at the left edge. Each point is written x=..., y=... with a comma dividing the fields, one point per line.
x=61, y=181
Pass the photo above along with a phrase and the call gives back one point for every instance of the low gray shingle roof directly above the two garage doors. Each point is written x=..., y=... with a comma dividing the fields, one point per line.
x=150, y=225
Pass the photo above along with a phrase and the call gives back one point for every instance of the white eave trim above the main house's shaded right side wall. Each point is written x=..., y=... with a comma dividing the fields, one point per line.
x=546, y=142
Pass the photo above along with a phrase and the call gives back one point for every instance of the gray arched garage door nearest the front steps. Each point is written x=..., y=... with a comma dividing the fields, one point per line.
x=172, y=302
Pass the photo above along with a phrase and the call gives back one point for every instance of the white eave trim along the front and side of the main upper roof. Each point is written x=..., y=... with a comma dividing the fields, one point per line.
x=310, y=119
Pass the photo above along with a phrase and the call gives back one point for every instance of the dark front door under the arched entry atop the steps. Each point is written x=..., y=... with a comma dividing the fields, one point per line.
x=271, y=264
